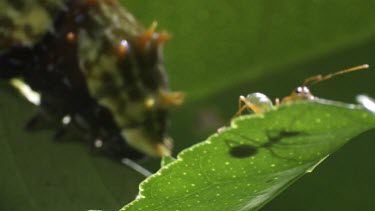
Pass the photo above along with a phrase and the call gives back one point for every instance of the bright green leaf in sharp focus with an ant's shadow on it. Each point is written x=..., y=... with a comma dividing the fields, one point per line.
x=258, y=156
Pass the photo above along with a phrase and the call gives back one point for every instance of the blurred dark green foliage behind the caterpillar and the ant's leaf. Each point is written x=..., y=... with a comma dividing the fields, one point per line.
x=220, y=49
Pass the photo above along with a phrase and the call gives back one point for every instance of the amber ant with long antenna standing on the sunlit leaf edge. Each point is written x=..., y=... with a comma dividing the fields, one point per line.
x=258, y=102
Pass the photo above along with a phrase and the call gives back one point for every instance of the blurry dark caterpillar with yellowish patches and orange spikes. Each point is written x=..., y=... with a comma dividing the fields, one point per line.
x=95, y=67
